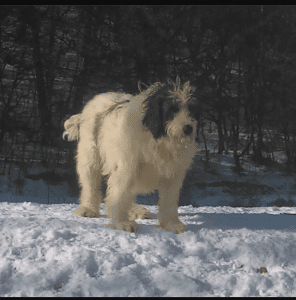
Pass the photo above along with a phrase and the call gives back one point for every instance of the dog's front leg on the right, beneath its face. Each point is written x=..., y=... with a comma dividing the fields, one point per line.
x=168, y=206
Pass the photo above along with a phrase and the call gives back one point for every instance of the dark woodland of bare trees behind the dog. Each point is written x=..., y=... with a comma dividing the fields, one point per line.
x=53, y=59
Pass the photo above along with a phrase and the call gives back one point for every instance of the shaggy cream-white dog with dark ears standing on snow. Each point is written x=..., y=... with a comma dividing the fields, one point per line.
x=143, y=143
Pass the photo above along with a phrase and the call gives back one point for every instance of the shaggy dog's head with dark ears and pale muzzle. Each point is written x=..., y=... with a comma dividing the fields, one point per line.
x=171, y=110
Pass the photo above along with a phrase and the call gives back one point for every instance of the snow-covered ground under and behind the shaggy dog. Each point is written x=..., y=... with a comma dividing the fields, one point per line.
x=45, y=250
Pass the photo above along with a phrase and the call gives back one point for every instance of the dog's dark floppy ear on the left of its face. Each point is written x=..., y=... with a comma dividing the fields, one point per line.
x=153, y=118
